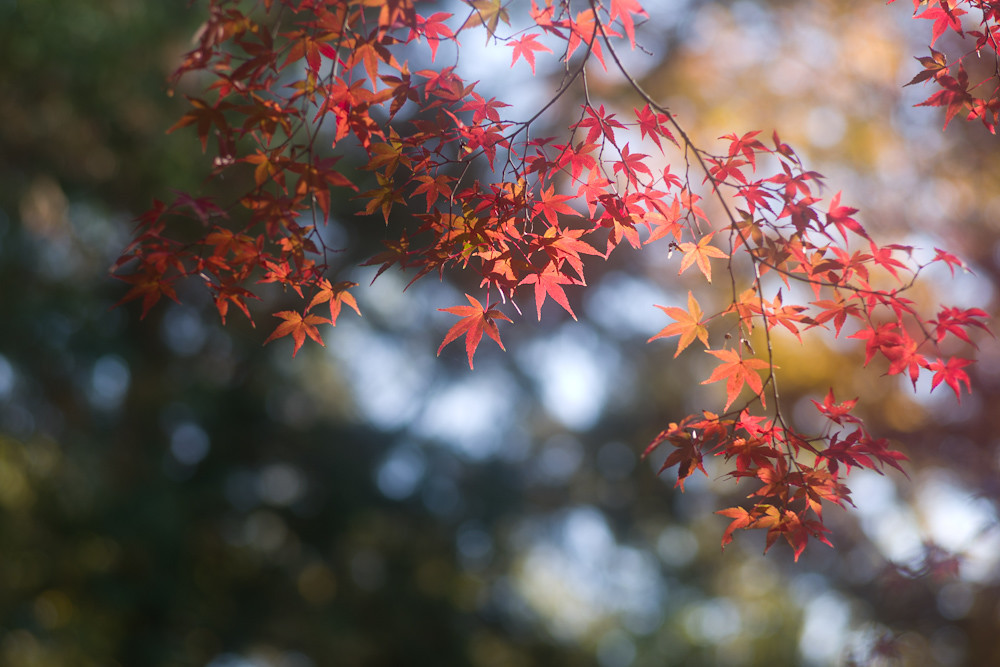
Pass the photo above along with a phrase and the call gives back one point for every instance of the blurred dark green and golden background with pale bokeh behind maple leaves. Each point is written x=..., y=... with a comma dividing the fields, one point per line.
x=173, y=493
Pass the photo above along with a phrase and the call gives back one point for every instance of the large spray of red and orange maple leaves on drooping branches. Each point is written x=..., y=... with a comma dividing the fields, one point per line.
x=297, y=85
